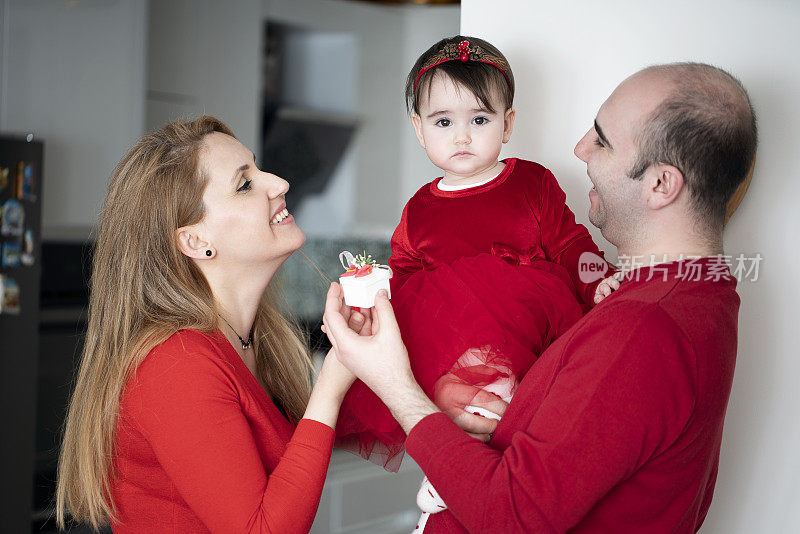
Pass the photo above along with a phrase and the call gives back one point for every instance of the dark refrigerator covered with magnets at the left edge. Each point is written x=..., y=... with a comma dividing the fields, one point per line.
x=20, y=276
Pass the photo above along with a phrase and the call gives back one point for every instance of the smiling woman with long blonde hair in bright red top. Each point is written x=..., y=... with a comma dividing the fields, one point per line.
x=174, y=425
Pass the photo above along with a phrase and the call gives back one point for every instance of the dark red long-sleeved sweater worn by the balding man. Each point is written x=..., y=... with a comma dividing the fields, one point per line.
x=616, y=428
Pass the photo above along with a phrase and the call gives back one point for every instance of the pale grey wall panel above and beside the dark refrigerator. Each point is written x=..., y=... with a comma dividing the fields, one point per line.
x=73, y=74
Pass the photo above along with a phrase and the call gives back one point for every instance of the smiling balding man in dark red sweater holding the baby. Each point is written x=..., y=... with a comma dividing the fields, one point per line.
x=617, y=427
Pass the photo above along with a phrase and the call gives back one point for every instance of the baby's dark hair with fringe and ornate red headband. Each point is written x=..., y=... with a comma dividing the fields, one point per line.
x=486, y=73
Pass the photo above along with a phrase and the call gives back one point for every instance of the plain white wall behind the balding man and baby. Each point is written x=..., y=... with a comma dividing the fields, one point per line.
x=567, y=58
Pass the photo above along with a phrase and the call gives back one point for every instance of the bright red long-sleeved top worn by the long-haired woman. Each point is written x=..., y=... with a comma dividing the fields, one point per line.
x=200, y=447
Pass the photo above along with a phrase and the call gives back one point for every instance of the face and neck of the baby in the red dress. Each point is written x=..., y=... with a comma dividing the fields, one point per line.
x=460, y=136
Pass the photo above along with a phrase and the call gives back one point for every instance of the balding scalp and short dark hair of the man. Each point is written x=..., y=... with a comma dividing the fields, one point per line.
x=705, y=127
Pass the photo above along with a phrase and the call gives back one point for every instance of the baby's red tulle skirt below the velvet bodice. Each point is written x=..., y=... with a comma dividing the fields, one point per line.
x=470, y=327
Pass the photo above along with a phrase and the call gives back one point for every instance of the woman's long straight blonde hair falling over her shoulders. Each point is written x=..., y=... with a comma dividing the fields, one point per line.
x=143, y=290
